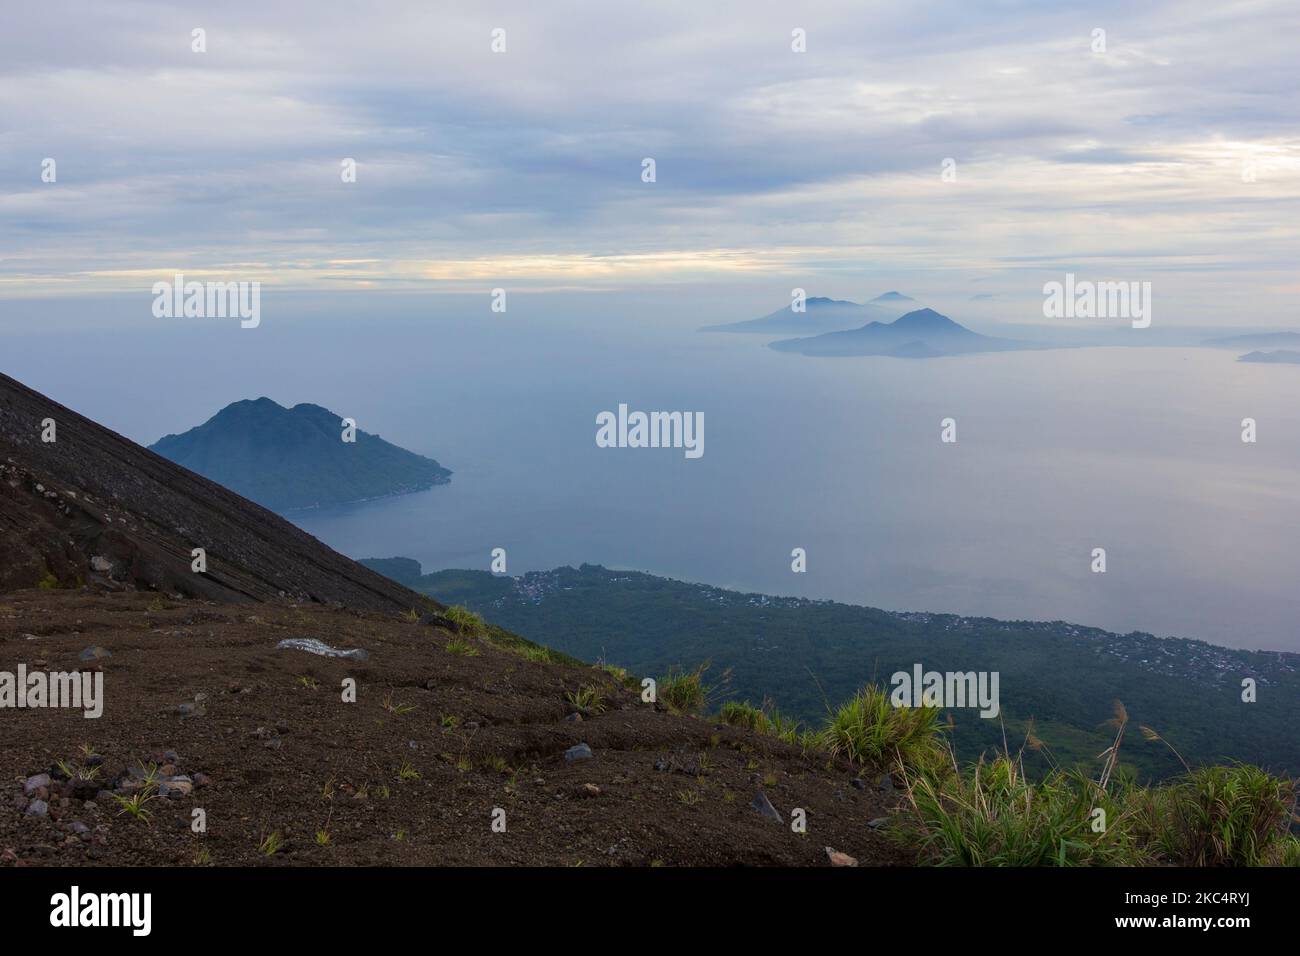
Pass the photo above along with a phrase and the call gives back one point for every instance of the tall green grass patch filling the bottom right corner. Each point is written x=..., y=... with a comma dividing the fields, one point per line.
x=993, y=815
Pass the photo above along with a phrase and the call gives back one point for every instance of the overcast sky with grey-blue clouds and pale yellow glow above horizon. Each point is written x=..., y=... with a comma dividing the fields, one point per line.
x=525, y=168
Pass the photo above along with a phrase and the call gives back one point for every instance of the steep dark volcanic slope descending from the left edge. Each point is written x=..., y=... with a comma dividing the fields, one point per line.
x=96, y=508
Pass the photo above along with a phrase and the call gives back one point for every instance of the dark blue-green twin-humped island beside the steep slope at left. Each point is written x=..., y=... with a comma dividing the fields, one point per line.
x=296, y=458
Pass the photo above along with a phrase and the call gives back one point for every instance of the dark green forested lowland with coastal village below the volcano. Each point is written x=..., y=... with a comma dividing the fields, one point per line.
x=805, y=656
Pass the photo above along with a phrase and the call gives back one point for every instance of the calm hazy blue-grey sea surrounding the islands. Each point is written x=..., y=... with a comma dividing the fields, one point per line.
x=1136, y=451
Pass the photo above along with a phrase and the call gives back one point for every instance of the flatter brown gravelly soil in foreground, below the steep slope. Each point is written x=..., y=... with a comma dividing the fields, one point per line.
x=281, y=752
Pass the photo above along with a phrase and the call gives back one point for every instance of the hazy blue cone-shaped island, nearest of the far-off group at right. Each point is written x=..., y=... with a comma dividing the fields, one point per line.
x=920, y=335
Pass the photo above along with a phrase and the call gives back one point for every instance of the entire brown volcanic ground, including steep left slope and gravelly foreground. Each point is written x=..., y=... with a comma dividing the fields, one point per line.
x=203, y=712
